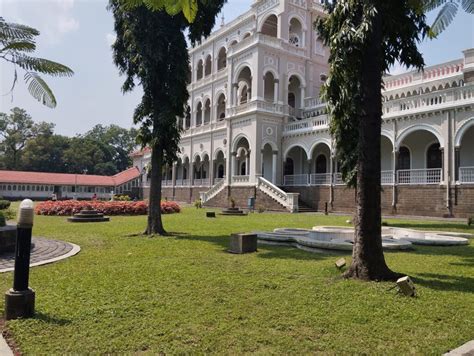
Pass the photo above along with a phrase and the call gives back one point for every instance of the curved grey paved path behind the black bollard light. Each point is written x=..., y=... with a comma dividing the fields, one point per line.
x=44, y=251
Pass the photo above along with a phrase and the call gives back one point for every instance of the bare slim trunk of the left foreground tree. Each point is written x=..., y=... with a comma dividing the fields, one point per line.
x=154, y=224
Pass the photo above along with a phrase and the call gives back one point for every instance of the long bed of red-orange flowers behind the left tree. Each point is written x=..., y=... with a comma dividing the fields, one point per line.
x=70, y=207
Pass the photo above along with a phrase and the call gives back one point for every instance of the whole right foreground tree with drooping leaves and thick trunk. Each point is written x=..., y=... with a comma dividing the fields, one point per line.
x=365, y=38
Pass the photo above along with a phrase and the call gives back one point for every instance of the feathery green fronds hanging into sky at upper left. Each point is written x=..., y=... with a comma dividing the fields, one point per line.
x=16, y=42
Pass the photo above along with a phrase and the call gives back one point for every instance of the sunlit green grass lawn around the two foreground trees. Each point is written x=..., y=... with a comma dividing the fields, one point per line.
x=185, y=294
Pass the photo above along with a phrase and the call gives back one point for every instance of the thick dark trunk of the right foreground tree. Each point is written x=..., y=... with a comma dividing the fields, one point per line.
x=368, y=262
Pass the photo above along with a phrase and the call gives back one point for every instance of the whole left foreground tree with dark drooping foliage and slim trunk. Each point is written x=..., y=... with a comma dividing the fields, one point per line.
x=151, y=48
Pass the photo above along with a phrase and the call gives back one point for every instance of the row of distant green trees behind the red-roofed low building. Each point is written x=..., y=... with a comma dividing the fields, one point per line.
x=29, y=146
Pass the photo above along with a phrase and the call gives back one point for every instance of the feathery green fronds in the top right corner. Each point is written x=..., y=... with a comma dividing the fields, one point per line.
x=447, y=13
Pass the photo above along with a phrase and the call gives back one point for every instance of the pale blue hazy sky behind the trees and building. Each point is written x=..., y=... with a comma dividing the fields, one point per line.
x=78, y=33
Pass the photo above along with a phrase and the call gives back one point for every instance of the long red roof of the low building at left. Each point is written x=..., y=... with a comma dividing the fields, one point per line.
x=20, y=177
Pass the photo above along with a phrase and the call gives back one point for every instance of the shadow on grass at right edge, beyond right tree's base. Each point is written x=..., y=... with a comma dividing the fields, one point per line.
x=445, y=282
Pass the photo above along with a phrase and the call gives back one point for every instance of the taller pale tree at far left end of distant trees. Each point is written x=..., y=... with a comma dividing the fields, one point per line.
x=16, y=129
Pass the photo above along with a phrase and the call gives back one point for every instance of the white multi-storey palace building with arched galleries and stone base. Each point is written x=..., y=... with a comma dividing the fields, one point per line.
x=257, y=129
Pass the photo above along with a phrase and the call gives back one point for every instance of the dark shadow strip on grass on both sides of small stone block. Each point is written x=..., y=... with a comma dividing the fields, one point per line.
x=264, y=250
